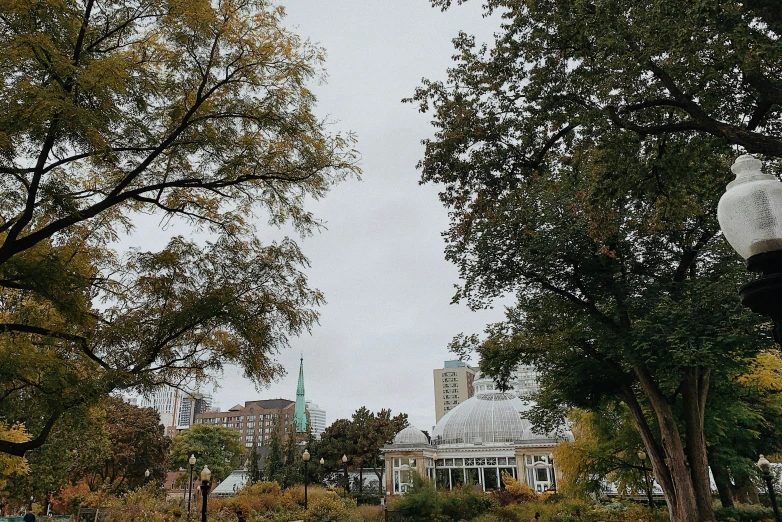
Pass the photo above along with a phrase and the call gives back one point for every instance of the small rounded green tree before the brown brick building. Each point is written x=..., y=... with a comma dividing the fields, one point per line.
x=217, y=447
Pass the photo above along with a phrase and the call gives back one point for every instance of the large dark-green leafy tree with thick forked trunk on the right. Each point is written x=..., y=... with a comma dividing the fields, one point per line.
x=582, y=158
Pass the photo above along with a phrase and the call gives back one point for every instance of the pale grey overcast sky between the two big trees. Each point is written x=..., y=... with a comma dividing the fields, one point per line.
x=380, y=263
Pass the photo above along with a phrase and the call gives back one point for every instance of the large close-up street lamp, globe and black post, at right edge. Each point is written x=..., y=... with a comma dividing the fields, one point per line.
x=750, y=216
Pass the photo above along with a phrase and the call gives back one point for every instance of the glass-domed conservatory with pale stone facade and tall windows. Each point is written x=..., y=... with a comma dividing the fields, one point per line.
x=475, y=443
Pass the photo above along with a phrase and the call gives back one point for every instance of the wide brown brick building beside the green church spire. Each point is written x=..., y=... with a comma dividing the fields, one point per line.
x=255, y=421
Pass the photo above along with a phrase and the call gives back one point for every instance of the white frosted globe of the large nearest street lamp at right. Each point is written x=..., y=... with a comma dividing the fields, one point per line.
x=750, y=211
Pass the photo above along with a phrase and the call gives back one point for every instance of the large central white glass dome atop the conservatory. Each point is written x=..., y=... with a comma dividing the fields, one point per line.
x=488, y=417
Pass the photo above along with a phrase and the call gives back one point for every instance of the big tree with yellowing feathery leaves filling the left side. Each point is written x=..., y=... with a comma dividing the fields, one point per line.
x=194, y=110
